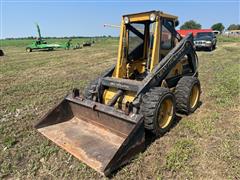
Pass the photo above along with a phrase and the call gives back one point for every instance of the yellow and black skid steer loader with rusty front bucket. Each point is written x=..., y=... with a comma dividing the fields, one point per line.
x=155, y=76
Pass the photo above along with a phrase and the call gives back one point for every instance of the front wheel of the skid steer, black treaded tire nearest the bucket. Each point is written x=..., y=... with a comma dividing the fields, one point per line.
x=158, y=108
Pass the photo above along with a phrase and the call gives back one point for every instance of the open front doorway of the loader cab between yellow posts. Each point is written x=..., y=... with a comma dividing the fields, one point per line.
x=139, y=45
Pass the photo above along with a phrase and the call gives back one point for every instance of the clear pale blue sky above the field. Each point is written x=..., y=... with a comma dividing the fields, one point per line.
x=87, y=17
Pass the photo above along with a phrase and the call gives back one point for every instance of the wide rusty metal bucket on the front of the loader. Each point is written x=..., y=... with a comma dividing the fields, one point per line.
x=100, y=136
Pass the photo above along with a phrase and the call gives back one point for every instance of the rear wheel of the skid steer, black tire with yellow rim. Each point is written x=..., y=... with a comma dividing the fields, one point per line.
x=187, y=94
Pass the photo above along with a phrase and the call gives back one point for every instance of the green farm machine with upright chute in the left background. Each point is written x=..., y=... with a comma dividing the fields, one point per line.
x=41, y=44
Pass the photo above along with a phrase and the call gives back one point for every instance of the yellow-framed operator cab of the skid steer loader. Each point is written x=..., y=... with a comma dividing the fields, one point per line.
x=144, y=41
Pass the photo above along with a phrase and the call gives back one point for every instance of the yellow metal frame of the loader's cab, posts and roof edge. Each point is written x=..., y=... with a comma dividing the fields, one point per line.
x=121, y=68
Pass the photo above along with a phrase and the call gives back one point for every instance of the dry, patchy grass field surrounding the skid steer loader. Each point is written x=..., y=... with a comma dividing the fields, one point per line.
x=204, y=145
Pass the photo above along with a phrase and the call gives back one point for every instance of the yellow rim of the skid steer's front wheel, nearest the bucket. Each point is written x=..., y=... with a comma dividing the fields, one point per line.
x=165, y=113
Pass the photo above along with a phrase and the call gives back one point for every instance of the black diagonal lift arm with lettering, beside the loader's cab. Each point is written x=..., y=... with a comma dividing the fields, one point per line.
x=159, y=73
